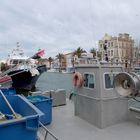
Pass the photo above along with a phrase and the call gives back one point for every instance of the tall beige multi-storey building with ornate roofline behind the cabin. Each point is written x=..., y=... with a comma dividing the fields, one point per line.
x=119, y=49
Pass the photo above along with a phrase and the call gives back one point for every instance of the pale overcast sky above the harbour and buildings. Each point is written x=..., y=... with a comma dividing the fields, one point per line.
x=61, y=26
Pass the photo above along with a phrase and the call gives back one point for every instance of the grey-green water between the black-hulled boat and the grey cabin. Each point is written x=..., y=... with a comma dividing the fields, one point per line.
x=53, y=81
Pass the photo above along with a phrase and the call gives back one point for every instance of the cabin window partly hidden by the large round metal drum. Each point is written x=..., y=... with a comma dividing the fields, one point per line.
x=109, y=77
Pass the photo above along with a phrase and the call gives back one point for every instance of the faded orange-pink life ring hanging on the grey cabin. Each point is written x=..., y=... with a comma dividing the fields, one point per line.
x=77, y=79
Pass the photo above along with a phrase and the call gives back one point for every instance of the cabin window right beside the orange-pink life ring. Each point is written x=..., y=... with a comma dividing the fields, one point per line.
x=89, y=80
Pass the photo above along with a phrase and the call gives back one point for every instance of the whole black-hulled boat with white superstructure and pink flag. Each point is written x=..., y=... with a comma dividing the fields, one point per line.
x=23, y=70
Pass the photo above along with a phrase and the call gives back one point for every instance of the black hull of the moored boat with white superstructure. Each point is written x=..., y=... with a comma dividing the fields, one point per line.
x=26, y=78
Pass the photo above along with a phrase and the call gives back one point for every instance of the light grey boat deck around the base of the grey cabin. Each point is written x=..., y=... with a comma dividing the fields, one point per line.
x=66, y=126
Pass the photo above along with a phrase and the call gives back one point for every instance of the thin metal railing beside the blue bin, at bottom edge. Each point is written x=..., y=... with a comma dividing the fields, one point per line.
x=46, y=133
